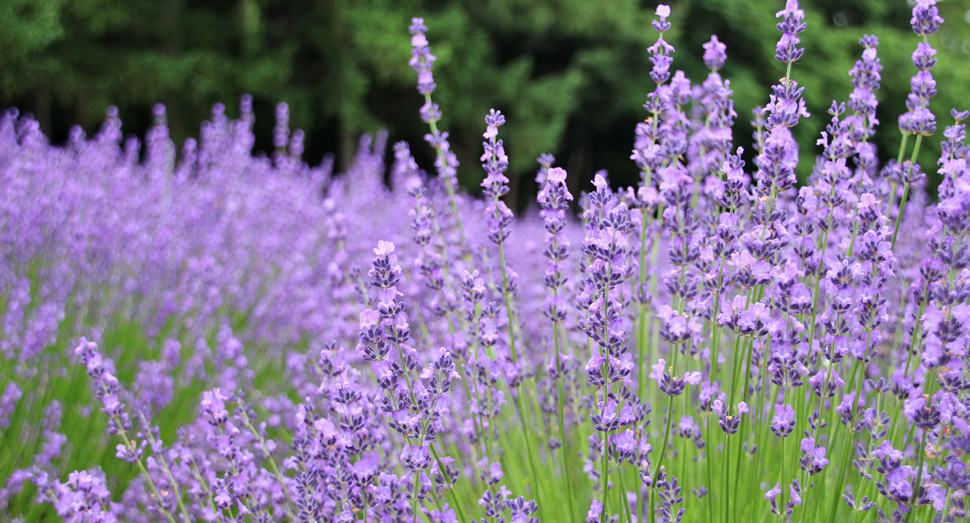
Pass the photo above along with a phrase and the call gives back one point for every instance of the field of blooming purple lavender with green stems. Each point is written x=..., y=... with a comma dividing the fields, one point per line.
x=201, y=334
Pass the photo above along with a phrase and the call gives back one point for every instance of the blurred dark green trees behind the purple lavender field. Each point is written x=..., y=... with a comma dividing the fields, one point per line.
x=571, y=75
